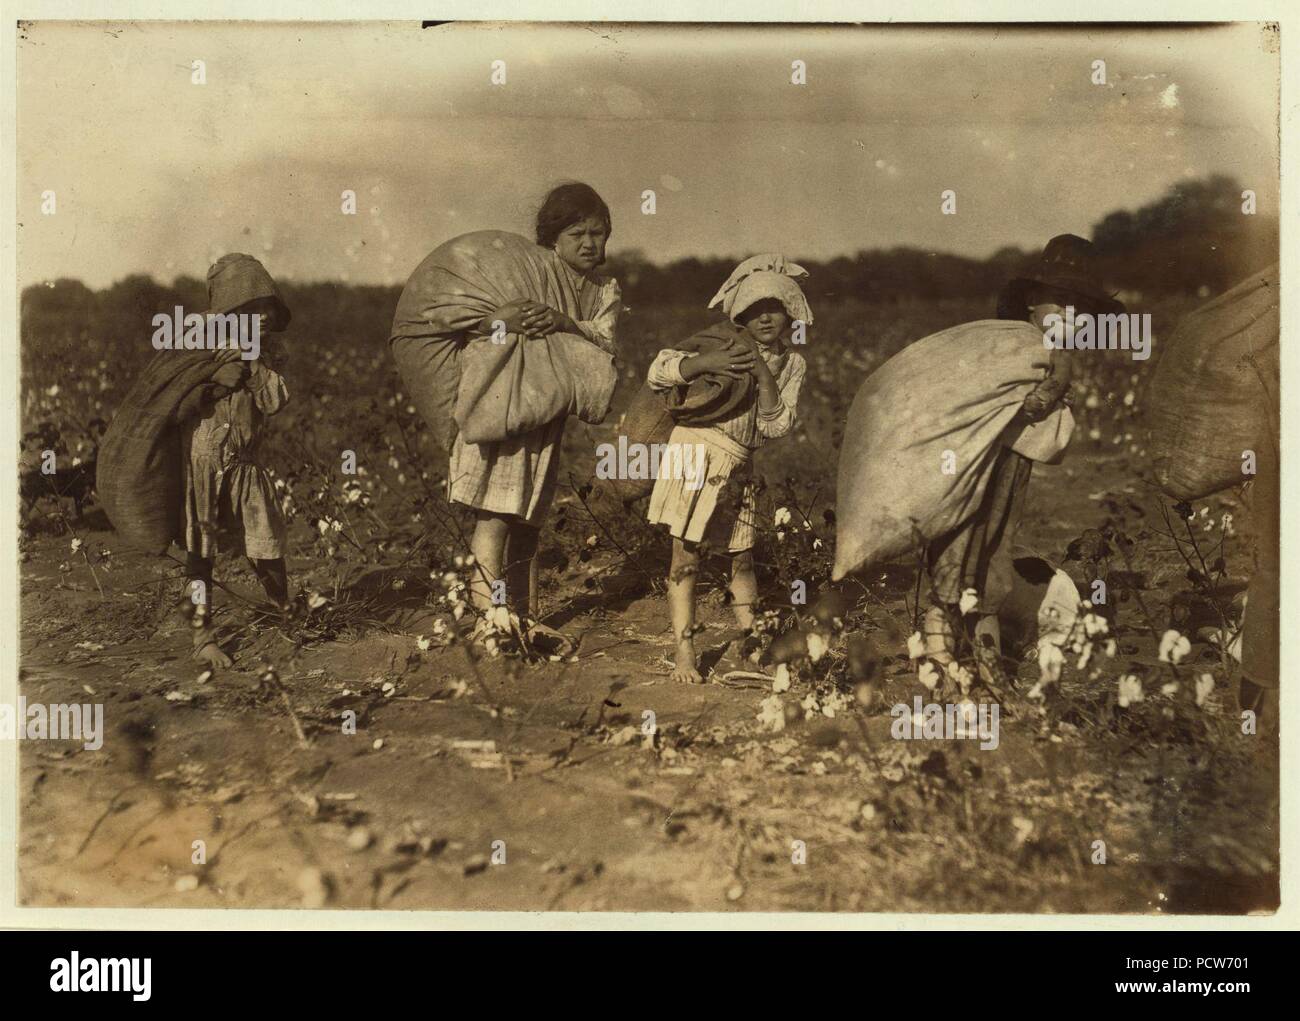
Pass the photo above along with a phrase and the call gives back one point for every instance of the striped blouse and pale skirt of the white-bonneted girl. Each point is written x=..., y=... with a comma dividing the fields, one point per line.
x=695, y=512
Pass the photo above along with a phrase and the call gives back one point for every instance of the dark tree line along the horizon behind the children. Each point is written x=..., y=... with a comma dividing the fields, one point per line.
x=1194, y=240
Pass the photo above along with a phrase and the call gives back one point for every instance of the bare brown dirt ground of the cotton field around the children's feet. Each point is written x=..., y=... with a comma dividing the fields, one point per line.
x=453, y=754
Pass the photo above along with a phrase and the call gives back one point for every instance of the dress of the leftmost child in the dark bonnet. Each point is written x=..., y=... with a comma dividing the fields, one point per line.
x=231, y=504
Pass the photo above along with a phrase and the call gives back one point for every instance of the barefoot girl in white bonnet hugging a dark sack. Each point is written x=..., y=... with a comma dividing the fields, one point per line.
x=764, y=302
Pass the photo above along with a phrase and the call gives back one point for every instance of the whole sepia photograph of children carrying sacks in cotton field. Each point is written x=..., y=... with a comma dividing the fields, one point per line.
x=595, y=468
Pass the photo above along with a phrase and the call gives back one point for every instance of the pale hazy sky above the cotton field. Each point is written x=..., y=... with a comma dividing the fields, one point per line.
x=155, y=175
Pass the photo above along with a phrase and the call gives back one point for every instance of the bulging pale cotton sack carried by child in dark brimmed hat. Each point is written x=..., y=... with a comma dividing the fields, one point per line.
x=924, y=431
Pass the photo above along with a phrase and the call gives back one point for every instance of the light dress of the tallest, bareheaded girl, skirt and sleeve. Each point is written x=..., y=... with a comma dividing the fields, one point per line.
x=518, y=477
